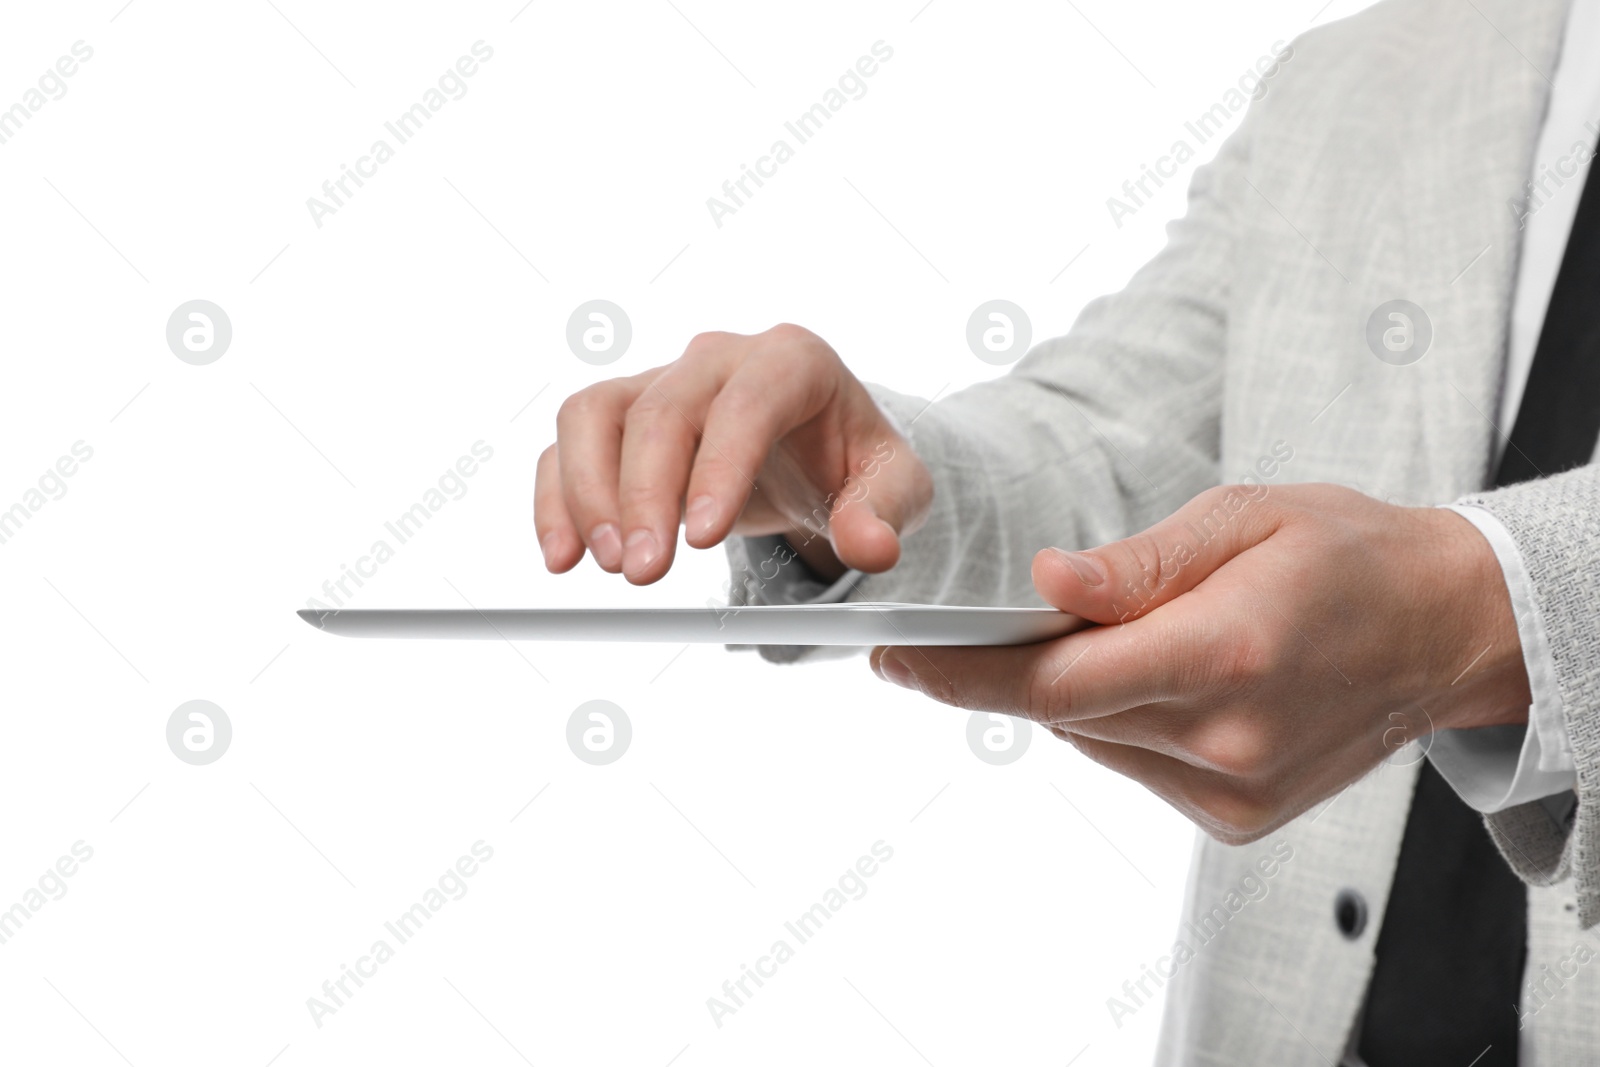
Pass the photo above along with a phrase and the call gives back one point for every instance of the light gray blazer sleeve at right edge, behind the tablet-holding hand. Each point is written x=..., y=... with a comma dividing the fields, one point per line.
x=1556, y=524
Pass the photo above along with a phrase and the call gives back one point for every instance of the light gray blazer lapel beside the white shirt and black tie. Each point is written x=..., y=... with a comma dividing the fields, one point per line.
x=1466, y=151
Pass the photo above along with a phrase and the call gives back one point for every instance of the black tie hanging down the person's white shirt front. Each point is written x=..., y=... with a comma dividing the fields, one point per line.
x=1450, y=953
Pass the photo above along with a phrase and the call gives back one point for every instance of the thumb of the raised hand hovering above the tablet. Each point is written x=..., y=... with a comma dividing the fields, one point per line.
x=886, y=497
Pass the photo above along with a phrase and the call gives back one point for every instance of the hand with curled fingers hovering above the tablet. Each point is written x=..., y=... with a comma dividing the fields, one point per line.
x=743, y=434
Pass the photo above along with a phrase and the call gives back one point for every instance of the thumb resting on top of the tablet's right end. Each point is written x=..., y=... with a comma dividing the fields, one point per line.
x=1130, y=578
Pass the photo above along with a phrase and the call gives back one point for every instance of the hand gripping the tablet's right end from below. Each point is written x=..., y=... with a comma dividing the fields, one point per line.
x=1265, y=647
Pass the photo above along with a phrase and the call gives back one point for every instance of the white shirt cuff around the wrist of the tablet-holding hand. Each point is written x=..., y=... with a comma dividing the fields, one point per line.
x=1502, y=767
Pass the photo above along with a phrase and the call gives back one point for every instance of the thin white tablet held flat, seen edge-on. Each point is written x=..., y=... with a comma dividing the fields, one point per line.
x=766, y=625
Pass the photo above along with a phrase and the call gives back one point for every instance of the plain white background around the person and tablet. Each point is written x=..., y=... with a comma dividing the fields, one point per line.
x=369, y=356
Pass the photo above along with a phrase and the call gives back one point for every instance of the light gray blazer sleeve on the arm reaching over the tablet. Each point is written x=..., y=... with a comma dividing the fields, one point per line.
x=1092, y=436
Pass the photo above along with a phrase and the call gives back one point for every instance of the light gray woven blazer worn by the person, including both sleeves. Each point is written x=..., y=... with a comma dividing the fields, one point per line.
x=1382, y=162
